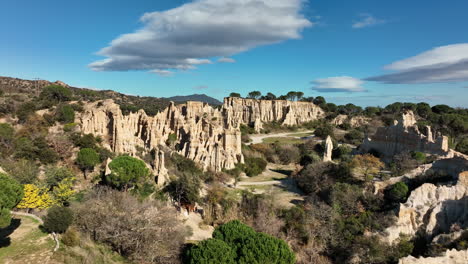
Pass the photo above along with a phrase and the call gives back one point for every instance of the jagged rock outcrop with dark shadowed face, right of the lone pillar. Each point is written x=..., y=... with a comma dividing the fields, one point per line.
x=404, y=136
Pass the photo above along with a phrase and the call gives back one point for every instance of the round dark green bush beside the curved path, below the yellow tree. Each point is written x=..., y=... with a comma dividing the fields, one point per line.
x=58, y=219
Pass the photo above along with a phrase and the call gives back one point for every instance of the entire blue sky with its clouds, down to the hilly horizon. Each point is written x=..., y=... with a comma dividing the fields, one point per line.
x=365, y=52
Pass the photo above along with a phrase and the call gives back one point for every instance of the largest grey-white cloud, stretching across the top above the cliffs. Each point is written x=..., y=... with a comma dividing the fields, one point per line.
x=189, y=35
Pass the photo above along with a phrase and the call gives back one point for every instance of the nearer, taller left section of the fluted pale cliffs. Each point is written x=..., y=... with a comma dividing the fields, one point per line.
x=198, y=129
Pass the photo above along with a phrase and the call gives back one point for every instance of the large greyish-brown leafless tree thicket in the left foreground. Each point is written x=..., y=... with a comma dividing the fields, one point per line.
x=145, y=232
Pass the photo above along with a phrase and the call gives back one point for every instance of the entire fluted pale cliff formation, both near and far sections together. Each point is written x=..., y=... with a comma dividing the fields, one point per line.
x=211, y=137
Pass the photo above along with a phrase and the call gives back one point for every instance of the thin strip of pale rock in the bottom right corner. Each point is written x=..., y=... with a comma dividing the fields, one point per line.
x=450, y=257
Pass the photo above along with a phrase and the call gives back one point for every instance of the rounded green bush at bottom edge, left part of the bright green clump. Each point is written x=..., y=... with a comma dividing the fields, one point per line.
x=211, y=251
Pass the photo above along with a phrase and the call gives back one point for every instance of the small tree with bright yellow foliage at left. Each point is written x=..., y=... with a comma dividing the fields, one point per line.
x=35, y=198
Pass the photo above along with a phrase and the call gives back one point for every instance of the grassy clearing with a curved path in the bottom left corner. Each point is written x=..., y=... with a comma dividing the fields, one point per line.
x=24, y=241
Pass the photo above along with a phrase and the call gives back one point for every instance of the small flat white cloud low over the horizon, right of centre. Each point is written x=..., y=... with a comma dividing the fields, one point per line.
x=338, y=84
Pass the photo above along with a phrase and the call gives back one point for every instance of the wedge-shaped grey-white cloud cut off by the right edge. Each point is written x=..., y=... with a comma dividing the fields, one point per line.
x=441, y=64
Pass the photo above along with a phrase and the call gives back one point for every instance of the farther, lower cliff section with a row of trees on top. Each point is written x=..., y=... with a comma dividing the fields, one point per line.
x=251, y=111
